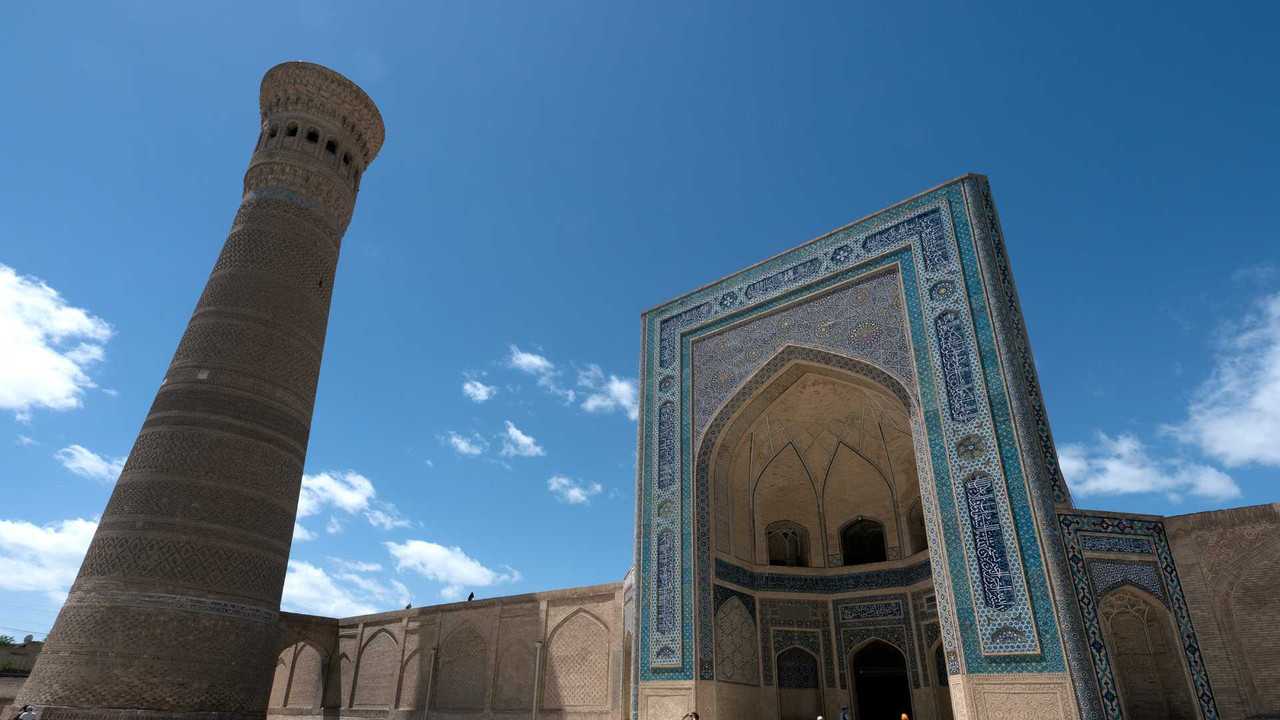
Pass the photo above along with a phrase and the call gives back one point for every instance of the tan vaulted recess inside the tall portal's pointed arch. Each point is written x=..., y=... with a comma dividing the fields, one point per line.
x=824, y=443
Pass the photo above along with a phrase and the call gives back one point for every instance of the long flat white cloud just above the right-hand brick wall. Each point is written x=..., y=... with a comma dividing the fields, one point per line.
x=1122, y=466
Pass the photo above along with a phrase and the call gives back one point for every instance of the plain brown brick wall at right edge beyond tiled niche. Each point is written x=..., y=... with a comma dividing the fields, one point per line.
x=1229, y=564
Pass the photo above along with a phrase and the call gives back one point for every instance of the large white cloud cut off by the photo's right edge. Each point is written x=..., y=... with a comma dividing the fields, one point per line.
x=1235, y=417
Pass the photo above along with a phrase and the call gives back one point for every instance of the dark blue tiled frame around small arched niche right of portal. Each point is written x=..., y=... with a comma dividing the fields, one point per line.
x=1077, y=526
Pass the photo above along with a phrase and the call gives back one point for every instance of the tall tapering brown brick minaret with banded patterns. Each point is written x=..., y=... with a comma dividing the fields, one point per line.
x=175, y=610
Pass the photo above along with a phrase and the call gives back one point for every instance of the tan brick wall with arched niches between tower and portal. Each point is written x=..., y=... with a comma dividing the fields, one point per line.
x=561, y=651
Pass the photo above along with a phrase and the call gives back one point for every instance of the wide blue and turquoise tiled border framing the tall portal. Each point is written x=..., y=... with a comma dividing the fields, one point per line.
x=950, y=262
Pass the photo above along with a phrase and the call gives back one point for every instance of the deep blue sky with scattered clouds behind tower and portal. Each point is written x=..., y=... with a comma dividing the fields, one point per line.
x=554, y=170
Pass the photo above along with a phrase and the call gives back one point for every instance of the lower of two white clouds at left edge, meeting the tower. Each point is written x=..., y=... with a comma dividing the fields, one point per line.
x=43, y=559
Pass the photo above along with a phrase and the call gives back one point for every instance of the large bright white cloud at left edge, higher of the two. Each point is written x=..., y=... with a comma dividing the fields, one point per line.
x=49, y=347
